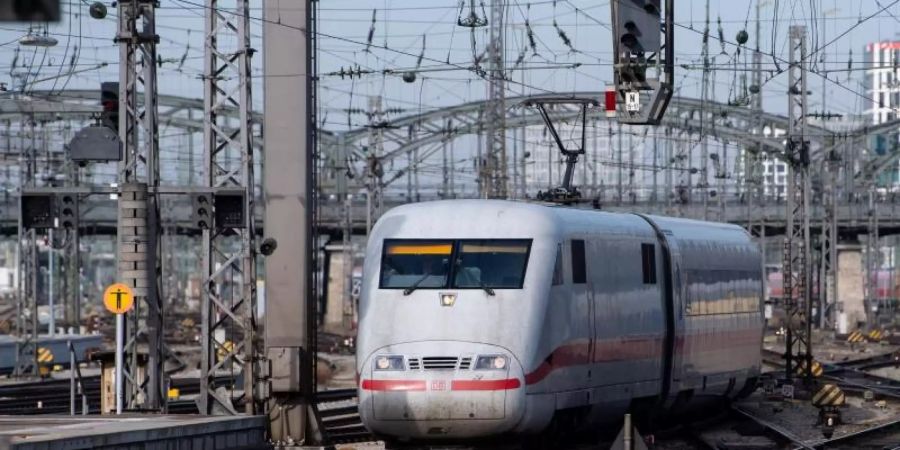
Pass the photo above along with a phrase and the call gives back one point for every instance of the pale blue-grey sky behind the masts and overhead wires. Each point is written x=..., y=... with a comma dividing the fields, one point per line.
x=400, y=25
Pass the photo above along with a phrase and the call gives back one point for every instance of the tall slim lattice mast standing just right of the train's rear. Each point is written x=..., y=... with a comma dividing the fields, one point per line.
x=797, y=236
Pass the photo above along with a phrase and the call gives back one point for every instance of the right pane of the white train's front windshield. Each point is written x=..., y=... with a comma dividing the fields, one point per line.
x=496, y=264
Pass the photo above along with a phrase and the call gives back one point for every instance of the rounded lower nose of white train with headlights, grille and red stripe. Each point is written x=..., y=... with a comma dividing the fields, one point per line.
x=441, y=389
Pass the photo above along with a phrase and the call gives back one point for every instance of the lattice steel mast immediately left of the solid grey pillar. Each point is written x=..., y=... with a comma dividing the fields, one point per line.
x=230, y=344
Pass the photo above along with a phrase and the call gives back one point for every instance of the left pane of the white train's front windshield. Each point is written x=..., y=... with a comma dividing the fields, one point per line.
x=416, y=264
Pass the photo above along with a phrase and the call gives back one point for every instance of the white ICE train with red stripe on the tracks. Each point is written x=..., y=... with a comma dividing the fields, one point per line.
x=481, y=318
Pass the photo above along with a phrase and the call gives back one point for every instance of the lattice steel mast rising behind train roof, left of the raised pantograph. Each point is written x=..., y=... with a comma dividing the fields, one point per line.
x=493, y=166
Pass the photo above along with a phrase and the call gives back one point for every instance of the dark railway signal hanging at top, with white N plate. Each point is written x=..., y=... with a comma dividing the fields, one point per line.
x=643, y=64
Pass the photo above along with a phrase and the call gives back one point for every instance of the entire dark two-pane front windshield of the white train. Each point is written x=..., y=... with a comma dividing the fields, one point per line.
x=476, y=264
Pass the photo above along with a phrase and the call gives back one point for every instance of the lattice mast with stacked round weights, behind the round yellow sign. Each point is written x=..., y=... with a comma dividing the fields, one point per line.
x=138, y=233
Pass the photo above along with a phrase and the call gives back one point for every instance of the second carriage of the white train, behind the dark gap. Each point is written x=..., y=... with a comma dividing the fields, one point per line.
x=716, y=307
